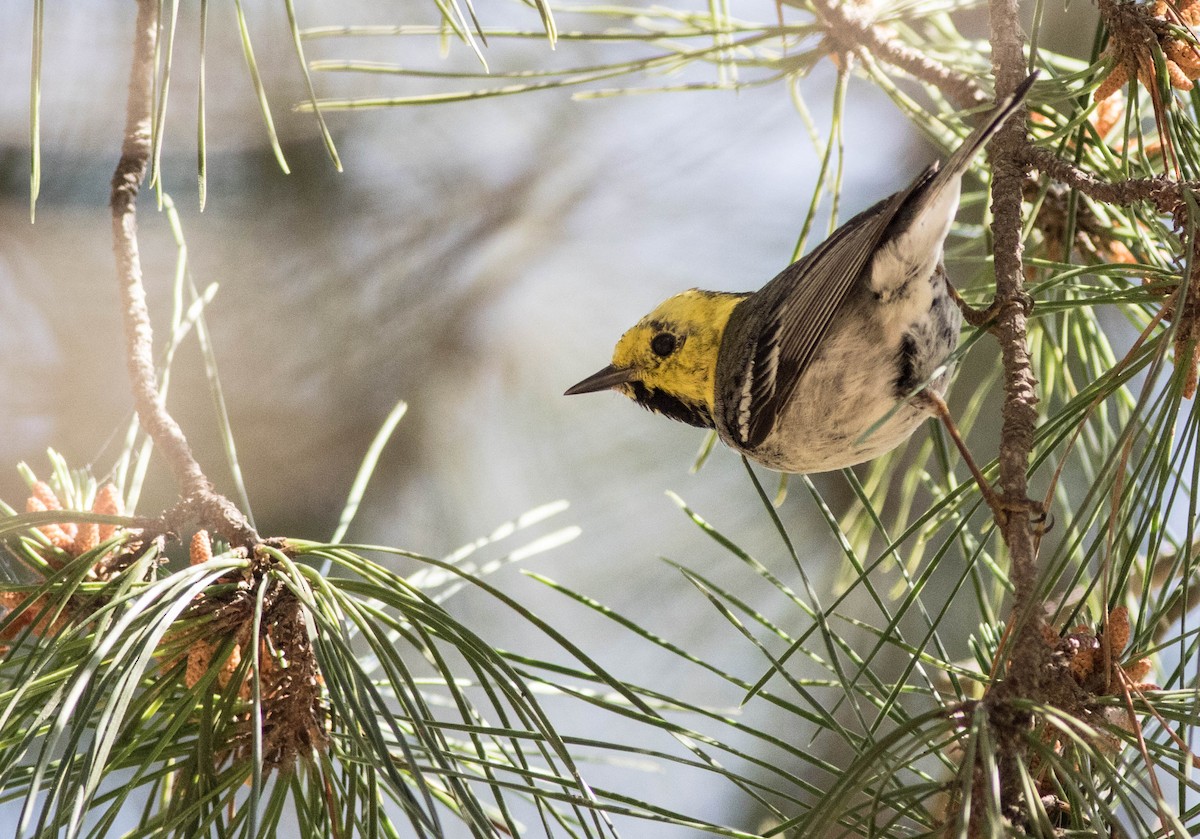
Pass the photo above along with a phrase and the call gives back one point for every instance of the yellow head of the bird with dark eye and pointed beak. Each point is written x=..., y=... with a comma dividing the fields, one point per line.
x=668, y=362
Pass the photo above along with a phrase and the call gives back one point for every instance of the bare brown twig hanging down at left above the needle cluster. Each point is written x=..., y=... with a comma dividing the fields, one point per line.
x=200, y=501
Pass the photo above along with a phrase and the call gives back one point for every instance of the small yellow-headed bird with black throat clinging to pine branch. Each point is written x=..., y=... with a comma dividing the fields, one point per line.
x=839, y=358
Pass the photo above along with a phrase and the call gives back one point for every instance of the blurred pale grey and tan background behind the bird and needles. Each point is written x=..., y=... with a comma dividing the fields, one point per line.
x=473, y=261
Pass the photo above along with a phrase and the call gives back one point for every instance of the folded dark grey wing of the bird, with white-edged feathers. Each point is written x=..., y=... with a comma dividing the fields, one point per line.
x=795, y=311
